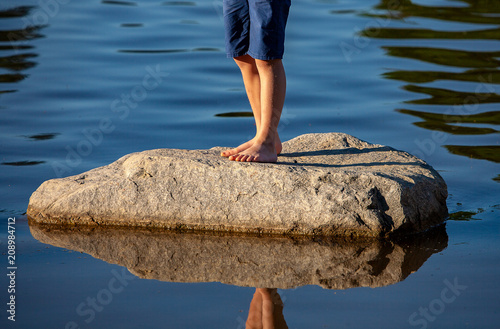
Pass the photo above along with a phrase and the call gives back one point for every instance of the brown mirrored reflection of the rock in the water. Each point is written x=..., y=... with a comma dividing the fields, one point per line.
x=252, y=261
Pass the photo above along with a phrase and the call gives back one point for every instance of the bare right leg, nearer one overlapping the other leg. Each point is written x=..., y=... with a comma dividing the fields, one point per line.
x=264, y=146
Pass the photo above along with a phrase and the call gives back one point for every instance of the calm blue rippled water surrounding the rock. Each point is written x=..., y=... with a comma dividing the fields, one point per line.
x=85, y=82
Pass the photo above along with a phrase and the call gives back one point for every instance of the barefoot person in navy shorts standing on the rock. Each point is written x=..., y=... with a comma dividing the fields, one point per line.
x=265, y=80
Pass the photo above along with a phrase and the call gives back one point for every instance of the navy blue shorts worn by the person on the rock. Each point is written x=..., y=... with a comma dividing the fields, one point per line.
x=255, y=28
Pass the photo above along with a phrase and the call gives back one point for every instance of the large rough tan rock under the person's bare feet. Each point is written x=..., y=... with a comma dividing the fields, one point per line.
x=323, y=184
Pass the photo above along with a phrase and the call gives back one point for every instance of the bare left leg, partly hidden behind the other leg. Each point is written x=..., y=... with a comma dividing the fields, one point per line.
x=252, y=82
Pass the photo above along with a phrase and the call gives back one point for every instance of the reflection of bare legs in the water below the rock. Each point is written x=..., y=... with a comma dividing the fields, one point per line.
x=266, y=310
